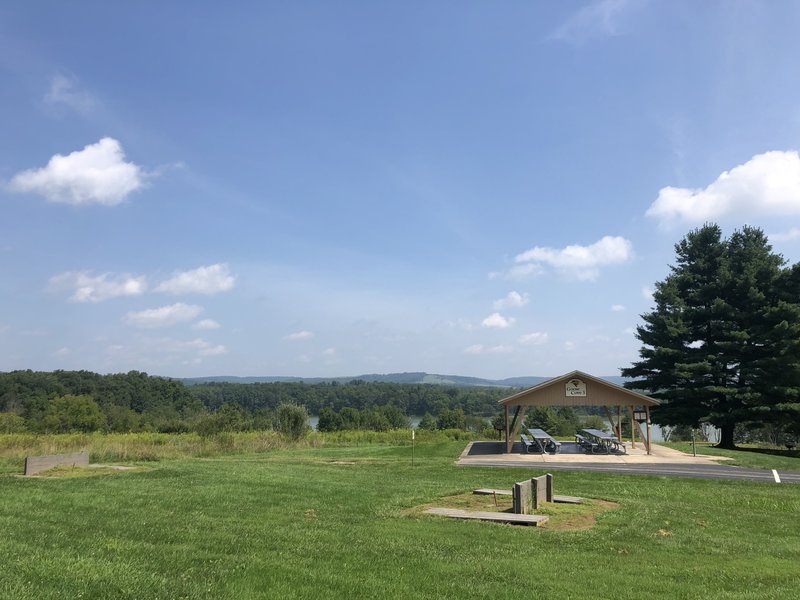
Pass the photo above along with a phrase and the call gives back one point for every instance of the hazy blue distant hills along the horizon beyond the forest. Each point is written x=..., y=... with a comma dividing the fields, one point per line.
x=409, y=378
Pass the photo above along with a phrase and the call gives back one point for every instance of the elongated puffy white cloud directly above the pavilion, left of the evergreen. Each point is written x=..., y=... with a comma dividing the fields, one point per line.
x=579, y=262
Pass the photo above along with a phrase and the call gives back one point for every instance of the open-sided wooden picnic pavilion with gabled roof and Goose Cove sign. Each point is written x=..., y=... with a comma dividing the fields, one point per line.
x=580, y=389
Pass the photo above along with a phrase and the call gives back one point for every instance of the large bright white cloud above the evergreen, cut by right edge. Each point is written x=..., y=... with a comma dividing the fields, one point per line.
x=766, y=185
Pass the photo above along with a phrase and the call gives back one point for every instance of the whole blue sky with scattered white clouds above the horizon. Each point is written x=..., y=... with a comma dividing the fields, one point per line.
x=338, y=188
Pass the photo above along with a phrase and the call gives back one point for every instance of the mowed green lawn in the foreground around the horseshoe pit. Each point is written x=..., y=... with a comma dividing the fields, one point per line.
x=341, y=522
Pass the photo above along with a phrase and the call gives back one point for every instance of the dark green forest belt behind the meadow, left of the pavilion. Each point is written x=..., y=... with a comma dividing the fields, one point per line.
x=84, y=401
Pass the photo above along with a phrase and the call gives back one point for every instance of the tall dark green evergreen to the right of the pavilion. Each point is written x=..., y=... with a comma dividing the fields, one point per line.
x=721, y=345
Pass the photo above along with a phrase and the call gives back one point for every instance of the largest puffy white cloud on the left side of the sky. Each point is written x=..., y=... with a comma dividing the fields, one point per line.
x=98, y=174
